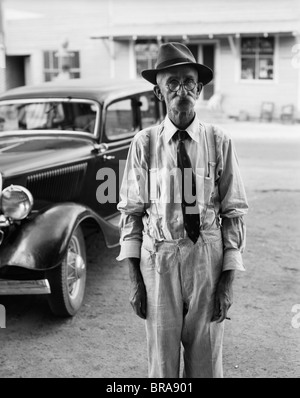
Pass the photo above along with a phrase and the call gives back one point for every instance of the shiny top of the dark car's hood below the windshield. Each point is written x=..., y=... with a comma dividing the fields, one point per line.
x=20, y=155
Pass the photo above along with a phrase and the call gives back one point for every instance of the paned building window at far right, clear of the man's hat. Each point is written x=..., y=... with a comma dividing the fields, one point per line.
x=257, y=56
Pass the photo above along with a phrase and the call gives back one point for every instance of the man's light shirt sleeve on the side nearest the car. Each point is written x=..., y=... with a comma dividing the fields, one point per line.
x=133, y=197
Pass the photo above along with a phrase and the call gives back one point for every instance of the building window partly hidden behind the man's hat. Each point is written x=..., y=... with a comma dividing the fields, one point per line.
x=146, y=54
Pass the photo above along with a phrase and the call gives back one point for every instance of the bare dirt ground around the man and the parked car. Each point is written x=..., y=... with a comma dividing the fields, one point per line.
x=106, y=340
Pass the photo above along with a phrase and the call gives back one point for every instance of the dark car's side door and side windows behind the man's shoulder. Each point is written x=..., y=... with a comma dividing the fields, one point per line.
x=123, y=118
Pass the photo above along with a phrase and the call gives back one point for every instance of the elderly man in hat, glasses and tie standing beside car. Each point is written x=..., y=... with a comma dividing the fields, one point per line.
x=182, y=230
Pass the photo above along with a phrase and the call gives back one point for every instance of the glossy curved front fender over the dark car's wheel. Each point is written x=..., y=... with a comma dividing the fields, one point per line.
x=41, y=243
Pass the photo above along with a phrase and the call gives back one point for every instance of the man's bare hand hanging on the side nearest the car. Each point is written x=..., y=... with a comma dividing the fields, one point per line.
x=138, y=295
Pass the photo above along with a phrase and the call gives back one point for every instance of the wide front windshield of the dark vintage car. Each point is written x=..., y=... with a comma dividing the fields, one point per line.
x=73, y=115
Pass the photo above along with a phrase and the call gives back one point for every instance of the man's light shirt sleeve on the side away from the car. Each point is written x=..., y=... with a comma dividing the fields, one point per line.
x=234, y=205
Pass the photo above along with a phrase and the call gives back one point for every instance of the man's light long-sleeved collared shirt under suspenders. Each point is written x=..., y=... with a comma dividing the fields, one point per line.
x=220, y=194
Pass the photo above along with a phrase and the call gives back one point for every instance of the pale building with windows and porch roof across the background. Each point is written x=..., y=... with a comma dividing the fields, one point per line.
x=253, y=46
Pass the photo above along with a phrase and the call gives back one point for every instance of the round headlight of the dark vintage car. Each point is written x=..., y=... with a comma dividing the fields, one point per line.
x=16, y=202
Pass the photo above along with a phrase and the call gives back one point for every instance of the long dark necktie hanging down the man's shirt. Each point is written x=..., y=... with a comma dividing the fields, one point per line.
x=188, y=189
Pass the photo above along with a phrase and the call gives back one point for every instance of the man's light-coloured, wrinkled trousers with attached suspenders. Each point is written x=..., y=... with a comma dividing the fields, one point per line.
x=180, y=279
